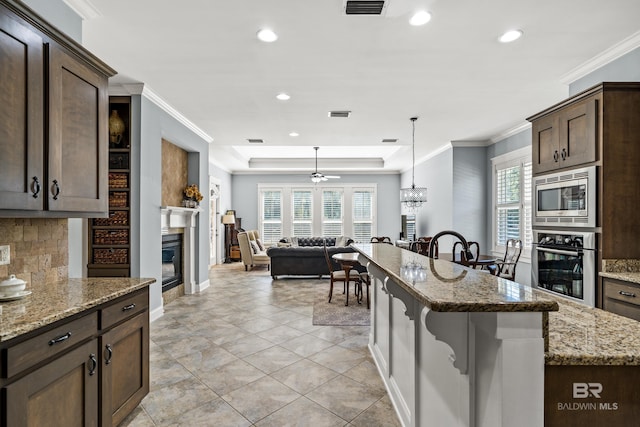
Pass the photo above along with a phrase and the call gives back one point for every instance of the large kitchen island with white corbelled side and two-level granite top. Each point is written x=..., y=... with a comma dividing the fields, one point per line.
x=459, y=347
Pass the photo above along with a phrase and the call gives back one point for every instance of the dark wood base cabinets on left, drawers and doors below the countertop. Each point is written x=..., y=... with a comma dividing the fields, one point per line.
x=90, y=370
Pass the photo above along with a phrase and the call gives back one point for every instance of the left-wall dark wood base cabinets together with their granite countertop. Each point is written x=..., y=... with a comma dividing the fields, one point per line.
x=75, y=351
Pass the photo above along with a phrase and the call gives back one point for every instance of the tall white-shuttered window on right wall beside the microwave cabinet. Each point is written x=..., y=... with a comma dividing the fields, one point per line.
x=512, y=198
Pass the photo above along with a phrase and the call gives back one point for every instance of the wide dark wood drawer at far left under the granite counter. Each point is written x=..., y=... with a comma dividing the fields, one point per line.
x=47, y=344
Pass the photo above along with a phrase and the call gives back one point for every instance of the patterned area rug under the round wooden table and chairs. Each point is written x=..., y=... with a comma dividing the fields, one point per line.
x=337, y=314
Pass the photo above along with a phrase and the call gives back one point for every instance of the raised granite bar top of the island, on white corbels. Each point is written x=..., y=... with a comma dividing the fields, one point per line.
x=449, y=287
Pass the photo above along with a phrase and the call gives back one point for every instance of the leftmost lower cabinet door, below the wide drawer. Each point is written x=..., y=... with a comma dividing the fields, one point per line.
x=61, y=393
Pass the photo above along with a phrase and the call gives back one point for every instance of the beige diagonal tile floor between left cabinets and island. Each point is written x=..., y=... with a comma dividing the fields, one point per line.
x=245, y=353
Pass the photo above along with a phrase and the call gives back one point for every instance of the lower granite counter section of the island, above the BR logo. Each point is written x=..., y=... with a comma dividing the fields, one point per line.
x=583, y=335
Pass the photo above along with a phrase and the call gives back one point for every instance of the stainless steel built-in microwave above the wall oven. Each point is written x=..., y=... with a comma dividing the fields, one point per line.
x=565, y=199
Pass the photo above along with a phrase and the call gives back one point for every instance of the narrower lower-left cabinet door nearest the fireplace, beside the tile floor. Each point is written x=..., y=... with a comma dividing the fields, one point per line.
x=125, y=368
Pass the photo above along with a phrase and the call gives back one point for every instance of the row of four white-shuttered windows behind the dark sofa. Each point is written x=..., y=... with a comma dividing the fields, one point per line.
x=320, y=210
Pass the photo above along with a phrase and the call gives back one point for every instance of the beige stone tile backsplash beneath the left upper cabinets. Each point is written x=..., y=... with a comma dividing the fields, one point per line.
x=39, y=249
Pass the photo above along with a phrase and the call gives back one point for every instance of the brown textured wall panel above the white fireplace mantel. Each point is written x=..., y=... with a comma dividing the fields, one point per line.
x=174, y=173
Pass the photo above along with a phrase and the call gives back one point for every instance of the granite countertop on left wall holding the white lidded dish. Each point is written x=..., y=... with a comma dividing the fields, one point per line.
x=51, y=302
